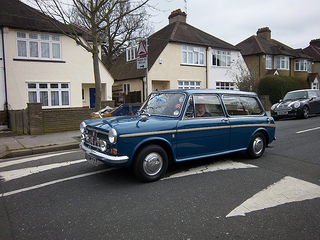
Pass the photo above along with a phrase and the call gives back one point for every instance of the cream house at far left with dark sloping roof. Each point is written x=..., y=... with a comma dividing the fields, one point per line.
x=40, y=64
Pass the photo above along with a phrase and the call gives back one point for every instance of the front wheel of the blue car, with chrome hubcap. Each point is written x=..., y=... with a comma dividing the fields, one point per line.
x=151, y=163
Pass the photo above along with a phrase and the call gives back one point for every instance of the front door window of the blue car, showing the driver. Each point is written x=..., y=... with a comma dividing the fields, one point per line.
x=204, y=105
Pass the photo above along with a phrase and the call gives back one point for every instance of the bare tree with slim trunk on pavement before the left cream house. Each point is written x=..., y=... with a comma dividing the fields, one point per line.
x=97, y=16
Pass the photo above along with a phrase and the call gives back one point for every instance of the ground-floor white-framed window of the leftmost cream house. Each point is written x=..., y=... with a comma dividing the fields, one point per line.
x=49, y=94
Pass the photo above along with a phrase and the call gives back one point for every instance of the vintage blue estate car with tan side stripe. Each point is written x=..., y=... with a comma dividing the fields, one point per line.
x=179, y=125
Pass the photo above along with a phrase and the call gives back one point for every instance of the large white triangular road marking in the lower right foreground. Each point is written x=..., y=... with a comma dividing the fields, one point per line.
x=287, y=190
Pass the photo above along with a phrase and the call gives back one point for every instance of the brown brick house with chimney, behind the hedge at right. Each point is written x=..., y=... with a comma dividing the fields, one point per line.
x=265, y=55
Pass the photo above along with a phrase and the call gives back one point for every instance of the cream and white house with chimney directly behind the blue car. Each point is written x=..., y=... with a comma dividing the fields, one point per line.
x=179, y=56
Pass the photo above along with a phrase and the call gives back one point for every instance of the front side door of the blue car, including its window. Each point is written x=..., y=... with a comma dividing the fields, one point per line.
x=202, y=136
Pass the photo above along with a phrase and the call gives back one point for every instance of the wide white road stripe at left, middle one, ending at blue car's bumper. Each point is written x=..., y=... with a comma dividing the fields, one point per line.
x=14, y=174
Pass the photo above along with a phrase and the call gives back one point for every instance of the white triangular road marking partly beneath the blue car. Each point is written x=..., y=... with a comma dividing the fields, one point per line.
x=225, y=165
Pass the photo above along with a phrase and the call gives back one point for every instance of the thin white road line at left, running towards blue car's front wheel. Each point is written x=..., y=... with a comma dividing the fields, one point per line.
x=54, y=182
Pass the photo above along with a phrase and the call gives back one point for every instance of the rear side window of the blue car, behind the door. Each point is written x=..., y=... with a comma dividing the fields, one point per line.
x=242, y=105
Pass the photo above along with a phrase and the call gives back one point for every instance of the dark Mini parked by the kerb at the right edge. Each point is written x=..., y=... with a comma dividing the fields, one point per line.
x=299, y=104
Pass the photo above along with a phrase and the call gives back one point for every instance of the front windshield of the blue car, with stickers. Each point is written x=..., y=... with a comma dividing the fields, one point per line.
x=163, y=104
